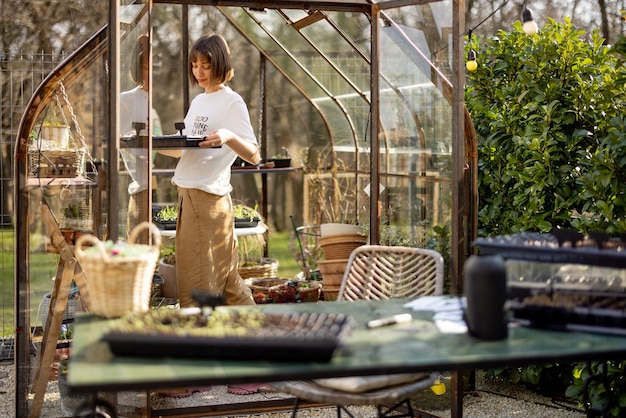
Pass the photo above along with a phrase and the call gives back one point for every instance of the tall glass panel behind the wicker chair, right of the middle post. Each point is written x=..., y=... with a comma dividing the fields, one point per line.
x=415, y=121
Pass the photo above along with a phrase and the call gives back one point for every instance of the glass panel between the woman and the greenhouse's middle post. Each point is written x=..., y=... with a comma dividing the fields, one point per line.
x=334, y=77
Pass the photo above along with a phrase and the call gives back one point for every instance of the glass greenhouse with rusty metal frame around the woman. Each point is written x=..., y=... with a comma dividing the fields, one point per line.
x=362, y=98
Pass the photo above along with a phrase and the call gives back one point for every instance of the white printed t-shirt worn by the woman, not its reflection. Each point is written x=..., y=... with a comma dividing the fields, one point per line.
x=209, y=169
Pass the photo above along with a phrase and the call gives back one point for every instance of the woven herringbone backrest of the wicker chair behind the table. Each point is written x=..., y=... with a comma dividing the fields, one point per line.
x=386, y=272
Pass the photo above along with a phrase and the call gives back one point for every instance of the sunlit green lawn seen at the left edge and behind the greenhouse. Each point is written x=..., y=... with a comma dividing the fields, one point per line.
x=43, y=269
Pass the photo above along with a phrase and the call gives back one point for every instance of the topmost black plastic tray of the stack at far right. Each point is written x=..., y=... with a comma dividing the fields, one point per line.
x=545, y=248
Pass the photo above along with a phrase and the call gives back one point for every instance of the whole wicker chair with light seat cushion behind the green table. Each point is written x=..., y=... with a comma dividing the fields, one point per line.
x=377, y=272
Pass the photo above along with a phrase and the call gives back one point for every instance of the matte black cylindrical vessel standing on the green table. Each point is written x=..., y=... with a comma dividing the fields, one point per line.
x=485, y=292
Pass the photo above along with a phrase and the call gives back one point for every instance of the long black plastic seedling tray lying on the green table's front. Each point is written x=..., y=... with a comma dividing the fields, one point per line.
x=283, y=338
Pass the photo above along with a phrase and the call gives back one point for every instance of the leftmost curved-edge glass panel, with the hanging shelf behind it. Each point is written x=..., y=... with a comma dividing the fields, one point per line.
x=64, y=166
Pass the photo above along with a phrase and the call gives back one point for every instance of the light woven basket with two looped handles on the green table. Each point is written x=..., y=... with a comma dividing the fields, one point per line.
x=119, y=285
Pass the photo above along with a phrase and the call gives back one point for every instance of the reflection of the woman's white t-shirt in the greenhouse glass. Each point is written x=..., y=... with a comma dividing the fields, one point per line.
x=134, y=108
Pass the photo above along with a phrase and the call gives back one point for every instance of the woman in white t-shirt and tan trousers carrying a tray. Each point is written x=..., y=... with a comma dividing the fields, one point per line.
x=206, y=247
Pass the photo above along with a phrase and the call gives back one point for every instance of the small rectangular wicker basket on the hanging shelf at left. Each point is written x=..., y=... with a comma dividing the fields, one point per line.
x=56, y=163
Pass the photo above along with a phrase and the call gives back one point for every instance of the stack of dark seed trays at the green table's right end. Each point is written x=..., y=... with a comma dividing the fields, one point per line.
x=563, y=279
